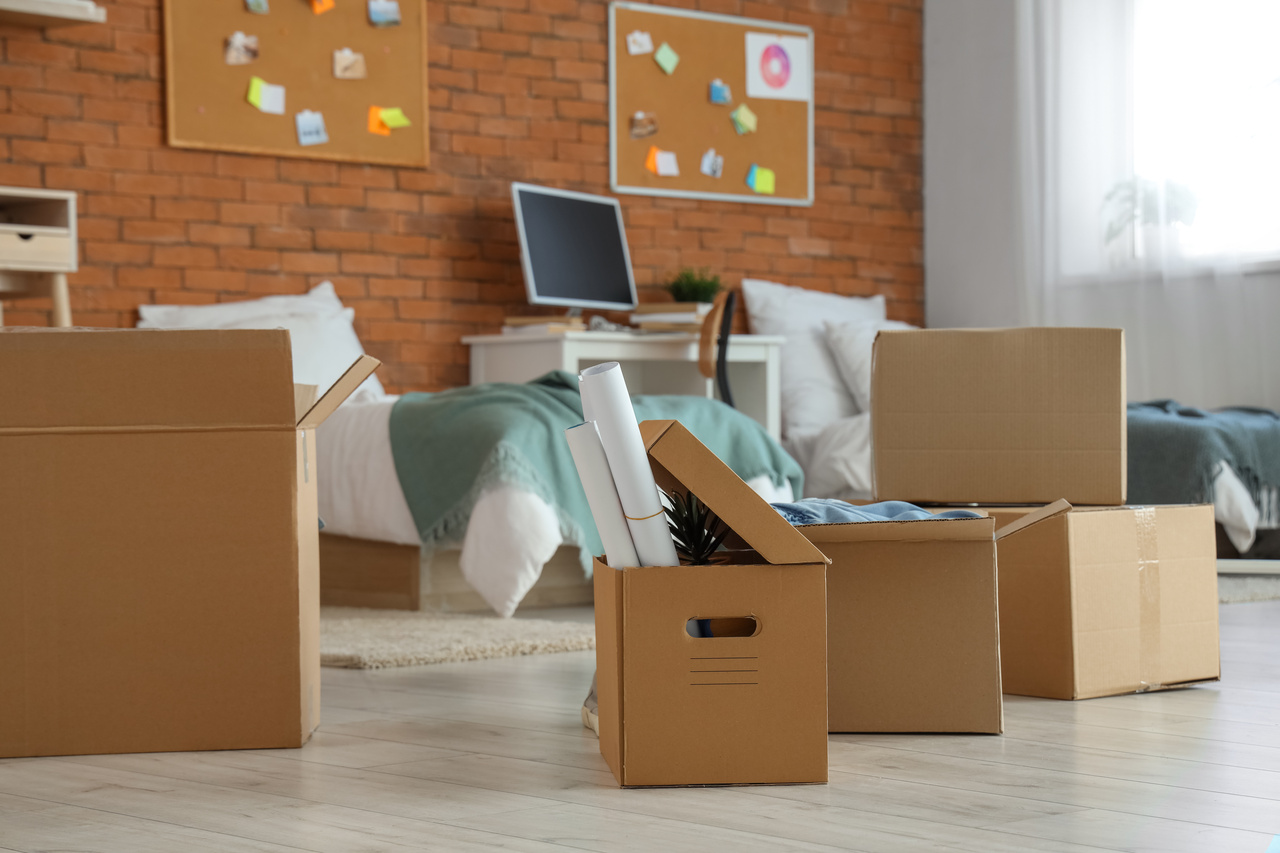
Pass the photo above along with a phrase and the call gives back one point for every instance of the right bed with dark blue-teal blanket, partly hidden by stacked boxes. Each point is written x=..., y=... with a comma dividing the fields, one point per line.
x=1177, y=454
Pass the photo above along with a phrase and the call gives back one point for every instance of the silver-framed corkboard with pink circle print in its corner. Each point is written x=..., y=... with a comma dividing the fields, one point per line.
x=688, y=122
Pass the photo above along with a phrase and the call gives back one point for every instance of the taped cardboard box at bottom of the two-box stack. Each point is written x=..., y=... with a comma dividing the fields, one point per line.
x=1101, y=601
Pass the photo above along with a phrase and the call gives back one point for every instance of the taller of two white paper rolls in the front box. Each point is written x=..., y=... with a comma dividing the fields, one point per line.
x=605, y=395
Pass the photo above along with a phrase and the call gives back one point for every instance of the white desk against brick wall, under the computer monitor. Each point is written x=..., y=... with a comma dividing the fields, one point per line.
x=655, y=364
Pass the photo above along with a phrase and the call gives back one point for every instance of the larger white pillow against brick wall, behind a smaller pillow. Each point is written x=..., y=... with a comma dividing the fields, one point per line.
x=813, y=394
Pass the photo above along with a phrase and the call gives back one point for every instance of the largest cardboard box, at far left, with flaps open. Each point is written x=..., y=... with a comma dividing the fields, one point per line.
x=159, y=587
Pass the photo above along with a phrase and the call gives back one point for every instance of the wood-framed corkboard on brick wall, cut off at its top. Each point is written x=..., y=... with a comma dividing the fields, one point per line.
x=207, y=97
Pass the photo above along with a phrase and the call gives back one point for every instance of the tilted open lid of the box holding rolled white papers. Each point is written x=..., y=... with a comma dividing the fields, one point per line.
x=678, y=455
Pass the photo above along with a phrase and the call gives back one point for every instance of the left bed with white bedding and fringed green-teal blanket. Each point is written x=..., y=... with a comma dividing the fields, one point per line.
x=510, y=526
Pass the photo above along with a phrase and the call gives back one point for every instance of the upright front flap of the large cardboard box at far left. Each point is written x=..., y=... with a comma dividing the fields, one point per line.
x=90, y=380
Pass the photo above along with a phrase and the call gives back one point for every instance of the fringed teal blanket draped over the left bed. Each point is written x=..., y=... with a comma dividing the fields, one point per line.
x=452, y=446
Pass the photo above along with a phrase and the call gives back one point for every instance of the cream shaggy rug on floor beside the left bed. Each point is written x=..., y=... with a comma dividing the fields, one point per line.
x=372, y=640
